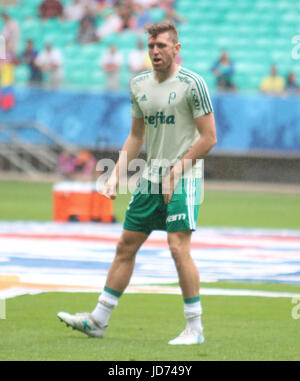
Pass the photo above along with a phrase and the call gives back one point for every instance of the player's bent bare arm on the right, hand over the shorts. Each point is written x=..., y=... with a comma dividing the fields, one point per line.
x=208, y=139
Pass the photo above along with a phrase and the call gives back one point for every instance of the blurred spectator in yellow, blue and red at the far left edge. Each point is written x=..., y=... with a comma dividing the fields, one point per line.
x=7, y=97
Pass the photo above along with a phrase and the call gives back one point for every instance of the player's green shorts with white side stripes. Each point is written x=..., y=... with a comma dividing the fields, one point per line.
x=147, y=210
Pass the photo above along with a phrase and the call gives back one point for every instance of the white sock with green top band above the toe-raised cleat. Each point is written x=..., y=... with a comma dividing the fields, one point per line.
x=107, y=301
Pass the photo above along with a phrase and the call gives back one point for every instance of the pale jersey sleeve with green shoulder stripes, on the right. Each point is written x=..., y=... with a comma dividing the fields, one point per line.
x=198, y=97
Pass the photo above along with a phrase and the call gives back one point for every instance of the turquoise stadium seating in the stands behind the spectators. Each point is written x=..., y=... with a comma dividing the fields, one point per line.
x=255, y=33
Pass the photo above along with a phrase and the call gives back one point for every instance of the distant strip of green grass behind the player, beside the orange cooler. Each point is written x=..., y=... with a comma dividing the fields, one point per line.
x=33, y=201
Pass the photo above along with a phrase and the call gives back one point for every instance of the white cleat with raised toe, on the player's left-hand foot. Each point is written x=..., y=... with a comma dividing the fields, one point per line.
x=83, y=322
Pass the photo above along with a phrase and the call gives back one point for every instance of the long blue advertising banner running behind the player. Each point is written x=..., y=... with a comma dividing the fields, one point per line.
x=245, y=122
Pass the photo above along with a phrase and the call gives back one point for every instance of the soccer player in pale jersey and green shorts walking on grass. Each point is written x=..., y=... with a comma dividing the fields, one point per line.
x=172, y=113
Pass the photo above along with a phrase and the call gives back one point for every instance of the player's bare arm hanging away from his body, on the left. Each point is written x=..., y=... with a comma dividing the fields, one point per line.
x=131, y=149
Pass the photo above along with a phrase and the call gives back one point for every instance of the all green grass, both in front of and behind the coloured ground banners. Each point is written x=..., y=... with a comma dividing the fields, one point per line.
x=236, y=328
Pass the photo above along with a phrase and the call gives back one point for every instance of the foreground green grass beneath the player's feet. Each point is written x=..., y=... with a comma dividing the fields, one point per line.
x=236, y=328
